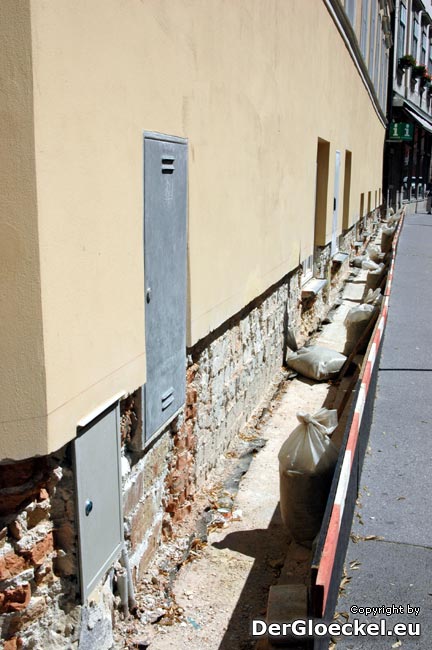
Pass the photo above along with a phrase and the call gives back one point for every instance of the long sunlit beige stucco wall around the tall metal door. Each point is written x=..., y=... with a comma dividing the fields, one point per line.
x=252, y=85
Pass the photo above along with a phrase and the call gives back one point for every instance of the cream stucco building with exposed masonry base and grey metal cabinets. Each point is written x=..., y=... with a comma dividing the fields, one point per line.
x=183, y=181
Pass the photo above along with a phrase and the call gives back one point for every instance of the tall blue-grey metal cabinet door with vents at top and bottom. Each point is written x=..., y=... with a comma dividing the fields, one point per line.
x=165, y=209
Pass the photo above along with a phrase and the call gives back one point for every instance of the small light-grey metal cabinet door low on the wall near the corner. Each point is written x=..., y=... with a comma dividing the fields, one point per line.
x=100, y=523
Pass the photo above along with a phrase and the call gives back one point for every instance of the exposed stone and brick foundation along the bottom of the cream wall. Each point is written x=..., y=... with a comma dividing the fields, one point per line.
x=230, y=376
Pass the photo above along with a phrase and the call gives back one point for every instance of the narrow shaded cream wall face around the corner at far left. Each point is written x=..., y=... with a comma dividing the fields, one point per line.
x=22, y=395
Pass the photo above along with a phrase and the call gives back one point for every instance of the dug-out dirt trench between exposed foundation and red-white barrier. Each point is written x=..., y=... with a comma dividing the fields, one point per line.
x=232, y=560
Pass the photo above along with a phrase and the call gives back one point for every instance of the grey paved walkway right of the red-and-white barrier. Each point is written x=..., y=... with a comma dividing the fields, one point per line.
x=393, y=565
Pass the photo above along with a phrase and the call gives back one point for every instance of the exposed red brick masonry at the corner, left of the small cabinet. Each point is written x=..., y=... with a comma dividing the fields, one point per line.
x=38, y=562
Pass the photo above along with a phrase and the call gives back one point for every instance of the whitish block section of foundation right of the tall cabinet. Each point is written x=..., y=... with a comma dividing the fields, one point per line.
x=233, y=374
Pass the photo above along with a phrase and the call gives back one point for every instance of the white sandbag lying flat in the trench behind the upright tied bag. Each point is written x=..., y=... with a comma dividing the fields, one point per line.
x=316, y=362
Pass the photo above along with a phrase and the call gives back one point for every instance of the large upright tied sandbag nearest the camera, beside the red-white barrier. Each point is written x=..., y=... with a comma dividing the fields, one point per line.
x=306, y=464
